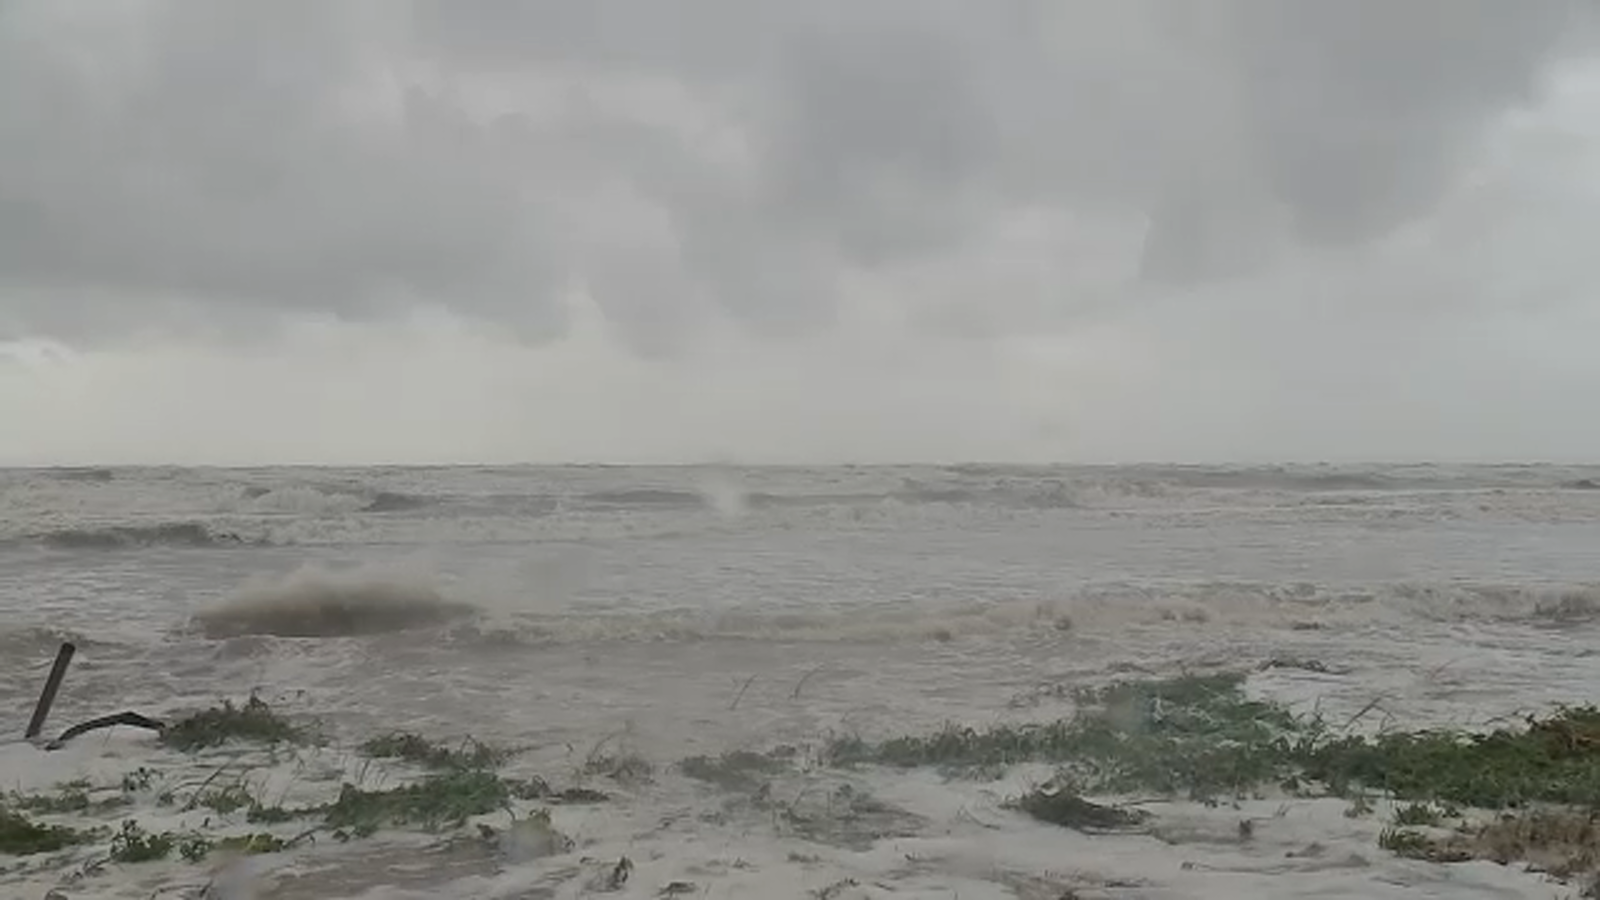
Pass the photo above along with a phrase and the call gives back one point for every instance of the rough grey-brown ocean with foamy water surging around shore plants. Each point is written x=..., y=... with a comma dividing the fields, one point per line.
x=598, y=616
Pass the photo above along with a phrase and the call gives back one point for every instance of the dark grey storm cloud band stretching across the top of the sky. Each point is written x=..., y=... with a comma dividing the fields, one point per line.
x=222, y=158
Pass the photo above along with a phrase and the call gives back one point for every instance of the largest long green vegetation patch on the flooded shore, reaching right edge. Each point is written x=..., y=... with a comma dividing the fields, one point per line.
x=1202, y=737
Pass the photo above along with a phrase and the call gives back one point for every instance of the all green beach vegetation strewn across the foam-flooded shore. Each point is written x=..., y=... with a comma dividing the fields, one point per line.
x=1514, y=795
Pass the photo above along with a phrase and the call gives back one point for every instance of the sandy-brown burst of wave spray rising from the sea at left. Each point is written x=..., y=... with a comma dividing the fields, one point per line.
x=316, y=603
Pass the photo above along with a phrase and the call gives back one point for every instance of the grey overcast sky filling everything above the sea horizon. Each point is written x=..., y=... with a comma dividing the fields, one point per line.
x=825, y=230
